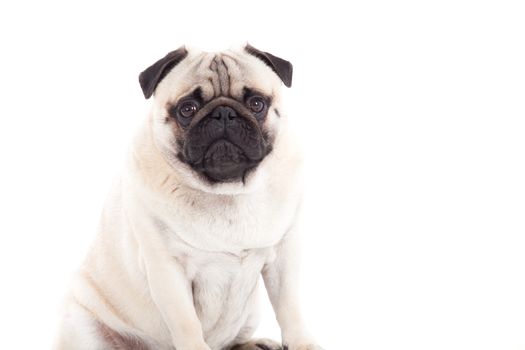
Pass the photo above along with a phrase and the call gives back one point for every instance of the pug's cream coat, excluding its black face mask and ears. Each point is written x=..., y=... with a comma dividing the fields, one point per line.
x=176, y=261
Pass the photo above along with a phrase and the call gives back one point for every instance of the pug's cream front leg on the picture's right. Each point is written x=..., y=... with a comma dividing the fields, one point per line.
x=281, y=281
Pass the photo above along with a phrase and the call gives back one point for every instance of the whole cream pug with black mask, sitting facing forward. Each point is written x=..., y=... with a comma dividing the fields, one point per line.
x=208, y=201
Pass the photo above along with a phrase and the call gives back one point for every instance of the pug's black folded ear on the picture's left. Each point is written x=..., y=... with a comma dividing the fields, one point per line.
x=153, y=75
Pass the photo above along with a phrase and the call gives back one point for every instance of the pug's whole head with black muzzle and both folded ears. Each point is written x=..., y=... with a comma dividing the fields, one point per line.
x=216, y=115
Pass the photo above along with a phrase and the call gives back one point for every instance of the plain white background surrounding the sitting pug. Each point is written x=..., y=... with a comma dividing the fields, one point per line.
x=413, y=117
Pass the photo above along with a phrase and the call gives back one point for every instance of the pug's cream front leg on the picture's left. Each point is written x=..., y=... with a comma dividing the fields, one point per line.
x=170, y=290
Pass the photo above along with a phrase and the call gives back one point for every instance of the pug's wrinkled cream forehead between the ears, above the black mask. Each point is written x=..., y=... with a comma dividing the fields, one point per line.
x=226, y=73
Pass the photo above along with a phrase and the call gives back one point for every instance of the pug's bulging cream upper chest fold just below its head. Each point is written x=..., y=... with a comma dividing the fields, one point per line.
x=222, y=224
